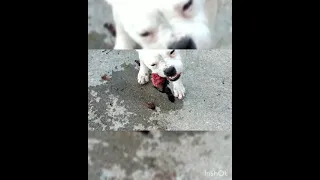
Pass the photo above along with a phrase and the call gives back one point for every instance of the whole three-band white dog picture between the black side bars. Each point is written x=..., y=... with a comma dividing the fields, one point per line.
x=159, y=89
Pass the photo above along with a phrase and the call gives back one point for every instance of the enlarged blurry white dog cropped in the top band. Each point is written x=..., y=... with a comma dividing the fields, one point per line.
x=163, y=24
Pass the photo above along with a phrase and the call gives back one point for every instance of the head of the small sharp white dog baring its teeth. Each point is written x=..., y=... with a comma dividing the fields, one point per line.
x=165, y=63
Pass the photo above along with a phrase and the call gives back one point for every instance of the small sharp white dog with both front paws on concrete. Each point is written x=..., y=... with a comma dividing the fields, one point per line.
x=164, y=63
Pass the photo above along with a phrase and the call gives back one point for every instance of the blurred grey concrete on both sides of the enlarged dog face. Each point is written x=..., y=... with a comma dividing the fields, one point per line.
x=99, y=13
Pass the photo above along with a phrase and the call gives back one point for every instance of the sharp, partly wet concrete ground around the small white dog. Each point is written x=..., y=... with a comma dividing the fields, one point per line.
x=120, y=102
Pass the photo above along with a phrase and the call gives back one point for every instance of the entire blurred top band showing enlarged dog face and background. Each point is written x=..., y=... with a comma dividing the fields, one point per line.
x=160, y=24
